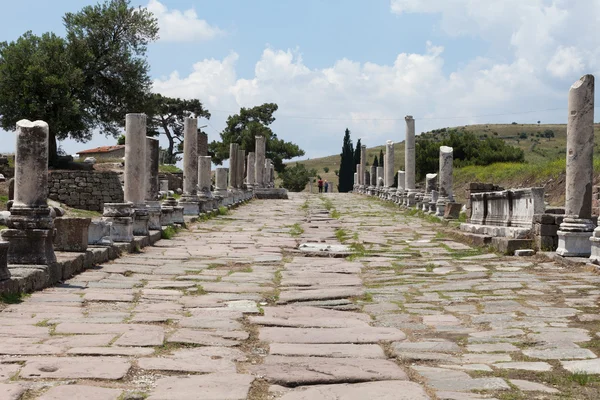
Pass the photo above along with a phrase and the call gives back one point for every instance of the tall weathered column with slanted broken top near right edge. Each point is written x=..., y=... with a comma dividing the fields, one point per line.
x=574, y=233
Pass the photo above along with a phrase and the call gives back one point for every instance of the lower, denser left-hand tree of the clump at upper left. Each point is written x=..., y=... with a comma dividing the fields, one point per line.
x=39, y=82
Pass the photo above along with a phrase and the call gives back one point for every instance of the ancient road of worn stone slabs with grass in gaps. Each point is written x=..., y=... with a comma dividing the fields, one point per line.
x=230, y=310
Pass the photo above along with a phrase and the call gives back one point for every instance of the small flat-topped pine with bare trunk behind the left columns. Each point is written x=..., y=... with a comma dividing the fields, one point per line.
x=167, y=115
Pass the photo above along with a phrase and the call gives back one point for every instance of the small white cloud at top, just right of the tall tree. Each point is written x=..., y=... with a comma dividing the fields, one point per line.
x=178, y=26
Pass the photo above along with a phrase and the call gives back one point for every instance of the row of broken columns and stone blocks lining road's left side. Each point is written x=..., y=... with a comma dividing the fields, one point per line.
x=133, y=215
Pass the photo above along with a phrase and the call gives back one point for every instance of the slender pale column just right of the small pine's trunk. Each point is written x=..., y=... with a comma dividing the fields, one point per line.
x=189, y=199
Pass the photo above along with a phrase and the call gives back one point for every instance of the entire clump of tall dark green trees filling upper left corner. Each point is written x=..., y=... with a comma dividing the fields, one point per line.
x=84, y=83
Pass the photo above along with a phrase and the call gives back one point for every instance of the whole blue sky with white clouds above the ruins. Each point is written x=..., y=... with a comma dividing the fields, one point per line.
x=332, y=64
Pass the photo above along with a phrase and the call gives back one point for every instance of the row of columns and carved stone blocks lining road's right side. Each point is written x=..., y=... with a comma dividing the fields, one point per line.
x=507, y=219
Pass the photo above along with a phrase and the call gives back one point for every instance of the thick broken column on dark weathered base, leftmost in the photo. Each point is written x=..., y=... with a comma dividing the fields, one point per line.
x=30, y=230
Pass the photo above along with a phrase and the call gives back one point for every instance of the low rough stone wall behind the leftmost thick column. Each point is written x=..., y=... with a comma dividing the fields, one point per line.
x=85, y=190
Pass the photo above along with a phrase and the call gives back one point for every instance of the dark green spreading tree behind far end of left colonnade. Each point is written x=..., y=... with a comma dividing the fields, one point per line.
x=243, y=128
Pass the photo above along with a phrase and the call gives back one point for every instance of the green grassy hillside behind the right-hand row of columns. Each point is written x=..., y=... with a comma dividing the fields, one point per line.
x=544, y=146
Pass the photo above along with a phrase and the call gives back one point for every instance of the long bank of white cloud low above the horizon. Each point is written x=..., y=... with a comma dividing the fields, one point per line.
x=316, y=105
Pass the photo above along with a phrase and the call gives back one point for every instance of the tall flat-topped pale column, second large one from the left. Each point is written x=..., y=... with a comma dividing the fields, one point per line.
x=136, y=178
